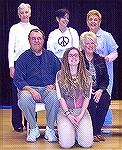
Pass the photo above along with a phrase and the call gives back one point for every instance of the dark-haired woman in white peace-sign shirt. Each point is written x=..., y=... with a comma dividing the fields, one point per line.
x=64, y=37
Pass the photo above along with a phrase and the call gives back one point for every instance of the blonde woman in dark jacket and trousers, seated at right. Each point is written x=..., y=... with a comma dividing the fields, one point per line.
x=100, y=99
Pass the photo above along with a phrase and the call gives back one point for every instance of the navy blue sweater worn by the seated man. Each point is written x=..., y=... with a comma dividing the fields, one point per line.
x=35, y=70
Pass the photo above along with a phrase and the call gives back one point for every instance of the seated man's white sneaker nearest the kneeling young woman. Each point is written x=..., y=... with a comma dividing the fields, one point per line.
x=50, y=135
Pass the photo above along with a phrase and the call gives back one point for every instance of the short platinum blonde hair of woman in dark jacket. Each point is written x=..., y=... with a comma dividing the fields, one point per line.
x=90, y=35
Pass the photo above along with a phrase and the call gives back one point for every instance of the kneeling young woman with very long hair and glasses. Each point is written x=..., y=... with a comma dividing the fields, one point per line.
x=74, y=89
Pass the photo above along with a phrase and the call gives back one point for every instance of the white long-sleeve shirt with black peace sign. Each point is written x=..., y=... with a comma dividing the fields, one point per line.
x=58, y=42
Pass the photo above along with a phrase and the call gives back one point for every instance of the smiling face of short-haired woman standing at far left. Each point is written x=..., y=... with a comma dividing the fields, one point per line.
x=24, y=14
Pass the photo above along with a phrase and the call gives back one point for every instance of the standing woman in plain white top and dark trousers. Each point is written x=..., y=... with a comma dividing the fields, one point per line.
x=18, y=43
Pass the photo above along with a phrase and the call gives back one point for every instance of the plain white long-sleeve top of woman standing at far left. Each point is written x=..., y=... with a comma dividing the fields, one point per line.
x=18, y=41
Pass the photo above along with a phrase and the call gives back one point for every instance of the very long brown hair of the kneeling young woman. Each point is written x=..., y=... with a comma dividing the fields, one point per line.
x=83, y=77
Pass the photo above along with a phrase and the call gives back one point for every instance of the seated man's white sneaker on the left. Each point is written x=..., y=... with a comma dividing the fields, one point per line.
x=34, y=134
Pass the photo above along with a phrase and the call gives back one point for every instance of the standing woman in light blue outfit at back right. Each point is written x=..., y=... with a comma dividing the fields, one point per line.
x=107, y=48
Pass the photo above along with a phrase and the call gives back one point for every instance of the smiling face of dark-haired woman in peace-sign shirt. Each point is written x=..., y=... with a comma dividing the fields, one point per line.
x=63, y=21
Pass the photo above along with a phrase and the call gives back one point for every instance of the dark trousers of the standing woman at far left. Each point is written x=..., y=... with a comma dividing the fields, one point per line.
x=16, y=112
